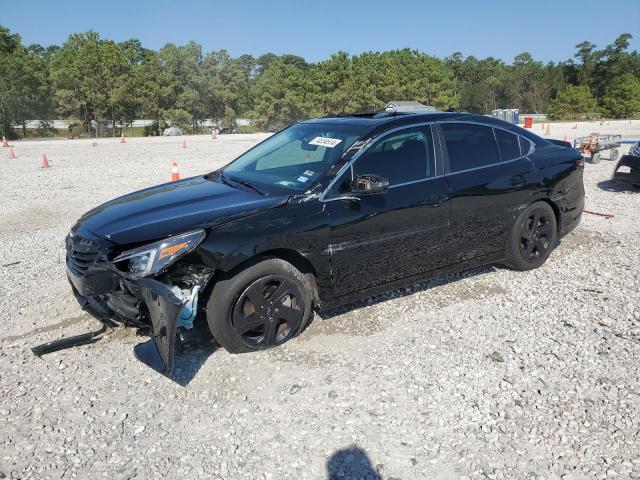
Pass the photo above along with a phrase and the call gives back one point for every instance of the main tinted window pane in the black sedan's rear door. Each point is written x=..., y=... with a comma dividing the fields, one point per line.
x=469, y=146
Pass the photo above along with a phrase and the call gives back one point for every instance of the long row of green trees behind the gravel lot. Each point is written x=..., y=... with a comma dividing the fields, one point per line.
x=100, y=85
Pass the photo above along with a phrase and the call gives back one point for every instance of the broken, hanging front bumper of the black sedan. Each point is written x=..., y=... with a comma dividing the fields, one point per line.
x=163, y=304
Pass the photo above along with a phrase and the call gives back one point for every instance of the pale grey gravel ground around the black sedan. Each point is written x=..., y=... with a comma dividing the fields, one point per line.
x=488, y=374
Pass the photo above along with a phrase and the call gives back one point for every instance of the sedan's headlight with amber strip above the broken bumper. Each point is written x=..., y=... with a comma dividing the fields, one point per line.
x=152, y=258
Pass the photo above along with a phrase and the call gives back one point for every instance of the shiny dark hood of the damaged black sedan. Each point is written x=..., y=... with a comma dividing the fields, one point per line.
x=170, y=209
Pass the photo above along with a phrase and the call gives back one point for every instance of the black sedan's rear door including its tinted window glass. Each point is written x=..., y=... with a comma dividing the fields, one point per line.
x=489, y=175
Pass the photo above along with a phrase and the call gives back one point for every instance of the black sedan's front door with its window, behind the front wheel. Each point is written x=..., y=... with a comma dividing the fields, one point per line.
x=383, y=237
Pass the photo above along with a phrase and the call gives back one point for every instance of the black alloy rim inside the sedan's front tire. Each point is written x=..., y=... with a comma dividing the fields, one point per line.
x=268, y=312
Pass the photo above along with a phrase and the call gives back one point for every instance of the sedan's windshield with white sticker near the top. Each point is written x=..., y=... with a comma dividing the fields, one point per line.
x=294, y=159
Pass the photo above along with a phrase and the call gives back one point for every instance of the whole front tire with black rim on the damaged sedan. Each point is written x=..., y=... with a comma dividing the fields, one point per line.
x=262, y=306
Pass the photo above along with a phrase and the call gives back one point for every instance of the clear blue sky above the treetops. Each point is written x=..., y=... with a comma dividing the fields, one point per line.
x=314, y=30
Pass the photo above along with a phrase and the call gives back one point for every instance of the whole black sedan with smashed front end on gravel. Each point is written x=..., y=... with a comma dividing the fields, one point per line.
x=322, y=213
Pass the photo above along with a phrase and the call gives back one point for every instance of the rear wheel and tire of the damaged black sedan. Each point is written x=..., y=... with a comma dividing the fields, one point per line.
x=532, y=238
